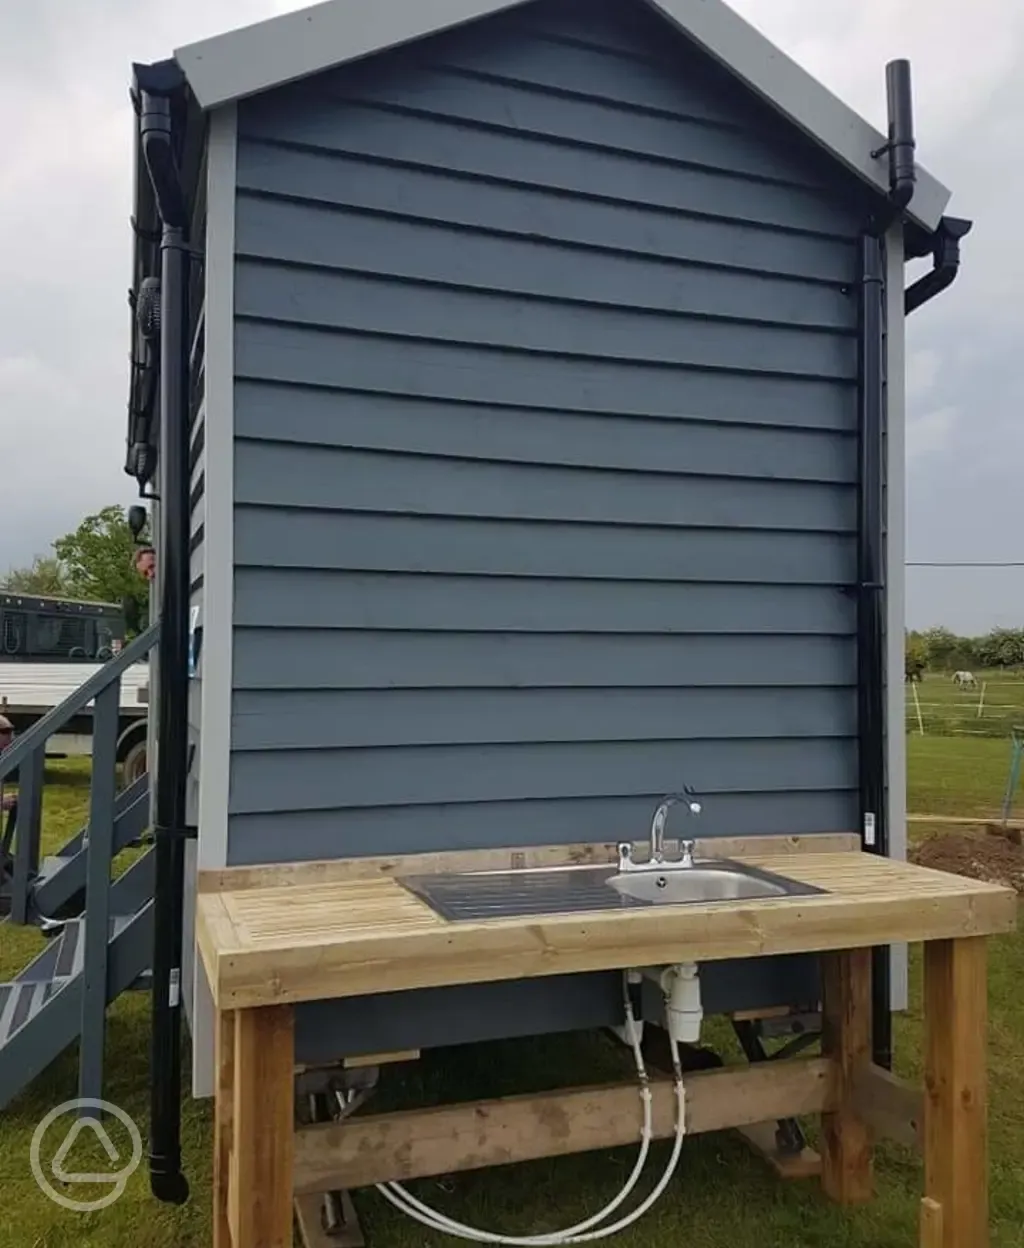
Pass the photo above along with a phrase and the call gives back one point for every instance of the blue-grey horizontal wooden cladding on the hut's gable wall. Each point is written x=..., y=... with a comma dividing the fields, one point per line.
x=546, y=450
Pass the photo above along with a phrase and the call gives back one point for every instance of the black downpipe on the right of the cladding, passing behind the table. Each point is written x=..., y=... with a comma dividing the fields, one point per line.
x=871, y=650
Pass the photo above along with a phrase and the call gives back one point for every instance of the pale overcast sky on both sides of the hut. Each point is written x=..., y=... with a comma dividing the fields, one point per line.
x=65, y=200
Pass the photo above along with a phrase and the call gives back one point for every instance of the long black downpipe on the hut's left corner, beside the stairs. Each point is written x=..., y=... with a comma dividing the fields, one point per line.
x=167, y=1179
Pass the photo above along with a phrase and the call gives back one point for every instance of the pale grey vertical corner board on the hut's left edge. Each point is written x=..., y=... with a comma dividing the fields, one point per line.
x=218, y=552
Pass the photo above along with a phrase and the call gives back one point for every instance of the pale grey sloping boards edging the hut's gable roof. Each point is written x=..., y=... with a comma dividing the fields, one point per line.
x=296, y=46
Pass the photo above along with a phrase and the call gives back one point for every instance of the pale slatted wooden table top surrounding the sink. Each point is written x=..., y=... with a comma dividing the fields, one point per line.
x=326, y=934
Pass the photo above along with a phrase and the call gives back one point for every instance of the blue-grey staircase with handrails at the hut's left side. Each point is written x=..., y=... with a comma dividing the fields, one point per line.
x=100, y=929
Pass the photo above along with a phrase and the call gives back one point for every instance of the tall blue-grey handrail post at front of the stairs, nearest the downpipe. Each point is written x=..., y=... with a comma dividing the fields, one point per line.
x=102, y=799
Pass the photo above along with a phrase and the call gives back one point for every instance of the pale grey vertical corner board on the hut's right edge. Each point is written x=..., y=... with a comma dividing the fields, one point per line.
x=896, y=576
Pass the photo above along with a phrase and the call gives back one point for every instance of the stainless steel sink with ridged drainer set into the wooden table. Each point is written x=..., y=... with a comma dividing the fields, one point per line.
x=476, y=895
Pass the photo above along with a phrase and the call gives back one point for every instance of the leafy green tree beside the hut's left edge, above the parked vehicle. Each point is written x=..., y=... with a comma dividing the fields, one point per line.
x=98, y=561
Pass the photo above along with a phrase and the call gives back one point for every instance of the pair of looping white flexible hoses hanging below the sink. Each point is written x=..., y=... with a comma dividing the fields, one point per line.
x=403, y=1200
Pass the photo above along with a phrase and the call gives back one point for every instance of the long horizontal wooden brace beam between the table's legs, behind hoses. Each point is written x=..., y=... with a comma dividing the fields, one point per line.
x=415, y=1144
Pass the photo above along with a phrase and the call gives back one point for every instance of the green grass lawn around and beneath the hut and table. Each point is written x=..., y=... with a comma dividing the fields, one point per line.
x=723, y=1196
